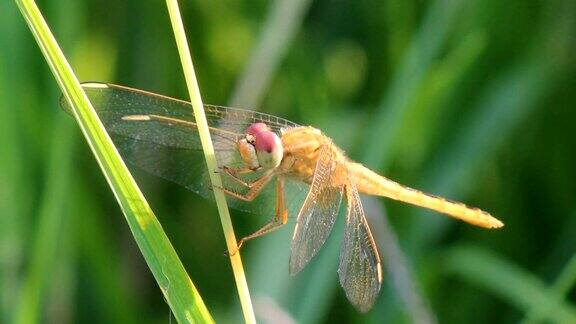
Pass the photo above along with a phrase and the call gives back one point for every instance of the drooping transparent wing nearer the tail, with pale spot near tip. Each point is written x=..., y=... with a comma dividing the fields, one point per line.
x=360, y=270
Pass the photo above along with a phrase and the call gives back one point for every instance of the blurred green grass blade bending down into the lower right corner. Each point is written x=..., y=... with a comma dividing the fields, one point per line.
x=508, y=281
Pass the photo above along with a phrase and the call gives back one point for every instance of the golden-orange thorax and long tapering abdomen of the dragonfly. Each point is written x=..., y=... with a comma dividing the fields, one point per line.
x=302, y=146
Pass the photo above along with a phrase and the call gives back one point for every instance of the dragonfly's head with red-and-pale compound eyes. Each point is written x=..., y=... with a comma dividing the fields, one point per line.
x=261, y=147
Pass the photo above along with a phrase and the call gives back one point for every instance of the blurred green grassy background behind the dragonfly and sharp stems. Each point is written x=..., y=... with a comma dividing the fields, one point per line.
x=473, y=100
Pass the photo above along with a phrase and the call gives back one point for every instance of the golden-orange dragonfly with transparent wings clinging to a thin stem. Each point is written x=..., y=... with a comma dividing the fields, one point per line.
x=269, y=166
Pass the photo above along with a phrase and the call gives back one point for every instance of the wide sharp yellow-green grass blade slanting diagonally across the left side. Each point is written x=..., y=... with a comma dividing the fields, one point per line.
x=160, y=256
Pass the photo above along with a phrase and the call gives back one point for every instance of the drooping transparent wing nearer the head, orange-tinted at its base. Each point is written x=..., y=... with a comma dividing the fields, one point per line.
x=318, y=213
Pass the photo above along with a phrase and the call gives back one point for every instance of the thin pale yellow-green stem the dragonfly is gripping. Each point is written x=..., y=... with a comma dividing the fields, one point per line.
x=208, y=149
